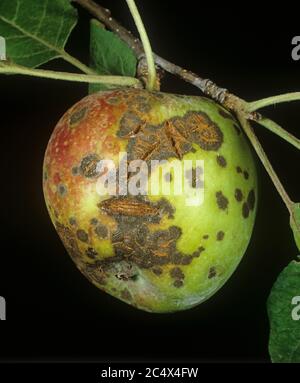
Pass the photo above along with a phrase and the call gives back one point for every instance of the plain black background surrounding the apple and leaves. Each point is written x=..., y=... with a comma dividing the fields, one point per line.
x=53, y=312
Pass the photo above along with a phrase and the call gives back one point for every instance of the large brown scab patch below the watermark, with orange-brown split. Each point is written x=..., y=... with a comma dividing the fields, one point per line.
x=134, y=241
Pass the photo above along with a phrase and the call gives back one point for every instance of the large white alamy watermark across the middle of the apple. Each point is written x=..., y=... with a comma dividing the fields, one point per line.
x=156, y=177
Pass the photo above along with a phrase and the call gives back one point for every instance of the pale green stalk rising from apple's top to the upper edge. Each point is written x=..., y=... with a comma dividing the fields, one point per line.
x=151, y=81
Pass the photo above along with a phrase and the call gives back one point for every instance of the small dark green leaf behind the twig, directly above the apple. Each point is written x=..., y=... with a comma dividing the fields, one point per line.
x=109, y=55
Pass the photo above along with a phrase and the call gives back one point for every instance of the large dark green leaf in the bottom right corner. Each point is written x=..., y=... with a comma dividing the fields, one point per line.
x=284, y=315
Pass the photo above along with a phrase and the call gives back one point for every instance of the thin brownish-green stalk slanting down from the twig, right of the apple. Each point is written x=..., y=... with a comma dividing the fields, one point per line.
x=265, y=161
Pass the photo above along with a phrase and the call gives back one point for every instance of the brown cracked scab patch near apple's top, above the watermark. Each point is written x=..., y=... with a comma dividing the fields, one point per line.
x=171, y=139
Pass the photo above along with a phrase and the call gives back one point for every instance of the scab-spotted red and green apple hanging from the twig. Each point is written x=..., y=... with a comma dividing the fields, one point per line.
x=152, y=252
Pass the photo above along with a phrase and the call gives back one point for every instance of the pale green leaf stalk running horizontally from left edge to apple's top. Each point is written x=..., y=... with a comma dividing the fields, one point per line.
x=8, y=68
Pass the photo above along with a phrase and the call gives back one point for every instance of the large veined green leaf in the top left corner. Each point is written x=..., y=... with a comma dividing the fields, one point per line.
x=36, y=31
